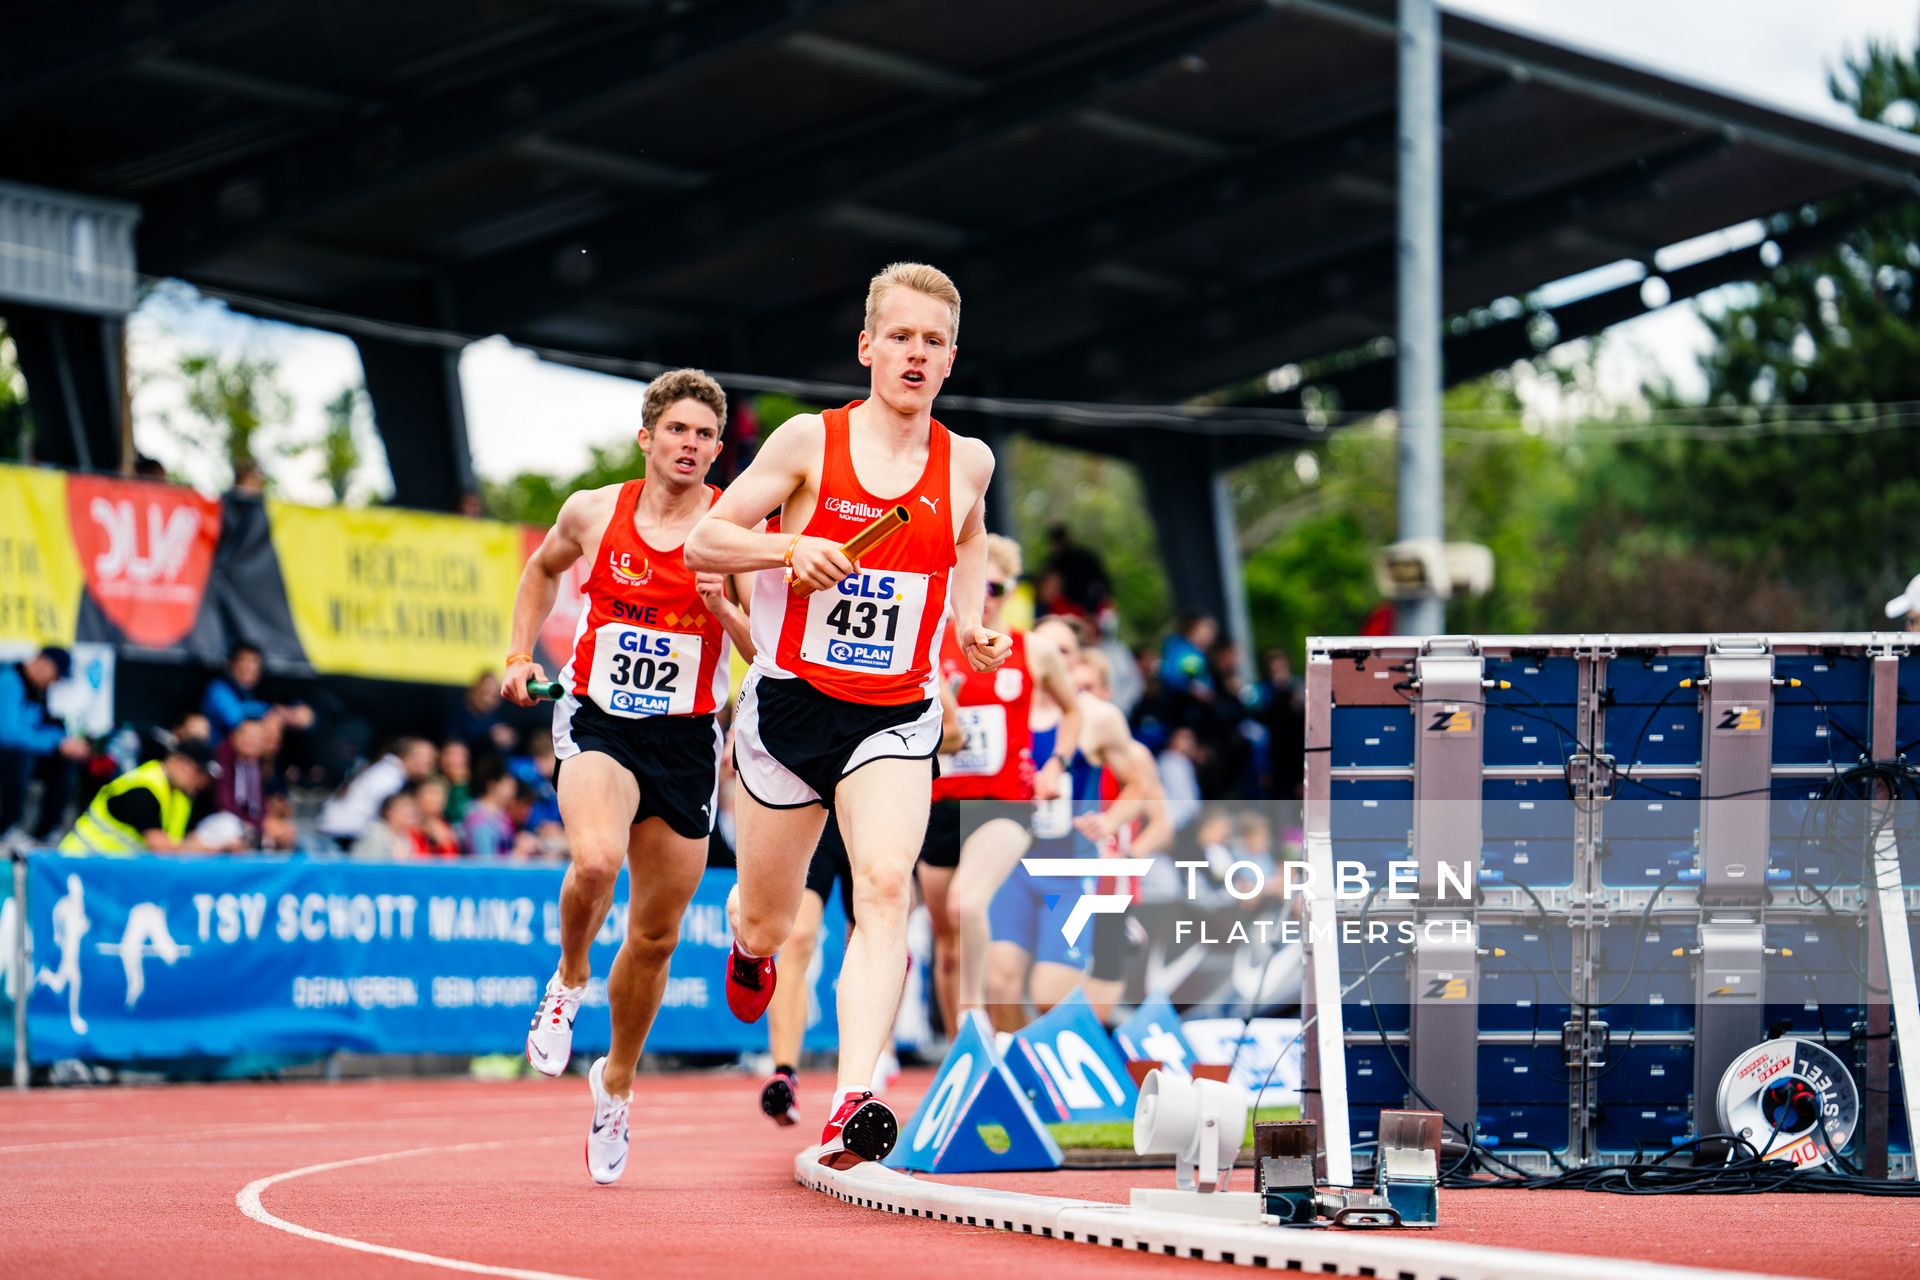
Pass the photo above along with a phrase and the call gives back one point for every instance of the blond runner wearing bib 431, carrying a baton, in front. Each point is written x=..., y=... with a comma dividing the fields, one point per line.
x=840, y=707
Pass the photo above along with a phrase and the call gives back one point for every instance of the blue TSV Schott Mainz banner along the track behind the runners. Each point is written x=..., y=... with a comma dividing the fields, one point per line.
x=164, y=959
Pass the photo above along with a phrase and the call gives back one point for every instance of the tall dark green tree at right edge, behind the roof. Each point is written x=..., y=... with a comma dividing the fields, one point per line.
x=1802, y=475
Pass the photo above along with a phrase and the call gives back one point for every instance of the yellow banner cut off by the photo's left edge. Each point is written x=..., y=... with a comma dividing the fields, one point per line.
x=39, y=571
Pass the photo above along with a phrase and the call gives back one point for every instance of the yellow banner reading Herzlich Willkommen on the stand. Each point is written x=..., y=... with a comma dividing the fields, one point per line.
x=400, y=596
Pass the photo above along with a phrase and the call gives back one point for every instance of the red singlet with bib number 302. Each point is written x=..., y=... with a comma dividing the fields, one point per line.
x=646, y=642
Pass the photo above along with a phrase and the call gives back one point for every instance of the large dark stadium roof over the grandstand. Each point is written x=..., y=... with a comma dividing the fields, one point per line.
x=1140, y=199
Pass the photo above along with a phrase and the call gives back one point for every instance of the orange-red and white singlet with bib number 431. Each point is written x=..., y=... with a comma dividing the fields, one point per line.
x=871, y=638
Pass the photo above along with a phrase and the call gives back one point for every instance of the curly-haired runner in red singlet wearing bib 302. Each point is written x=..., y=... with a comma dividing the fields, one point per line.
x=635, y=730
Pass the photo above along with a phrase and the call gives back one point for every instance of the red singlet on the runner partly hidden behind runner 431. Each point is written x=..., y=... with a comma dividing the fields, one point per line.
x=996, y=759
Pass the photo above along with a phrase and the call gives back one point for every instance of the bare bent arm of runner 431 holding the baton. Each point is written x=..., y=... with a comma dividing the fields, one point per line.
x=731, y=538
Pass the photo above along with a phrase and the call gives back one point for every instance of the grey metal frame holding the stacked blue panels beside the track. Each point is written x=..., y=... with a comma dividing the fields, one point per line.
x=1731, y=903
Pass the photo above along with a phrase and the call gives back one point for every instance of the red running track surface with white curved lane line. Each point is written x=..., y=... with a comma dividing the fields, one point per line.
x=143, y=1183
